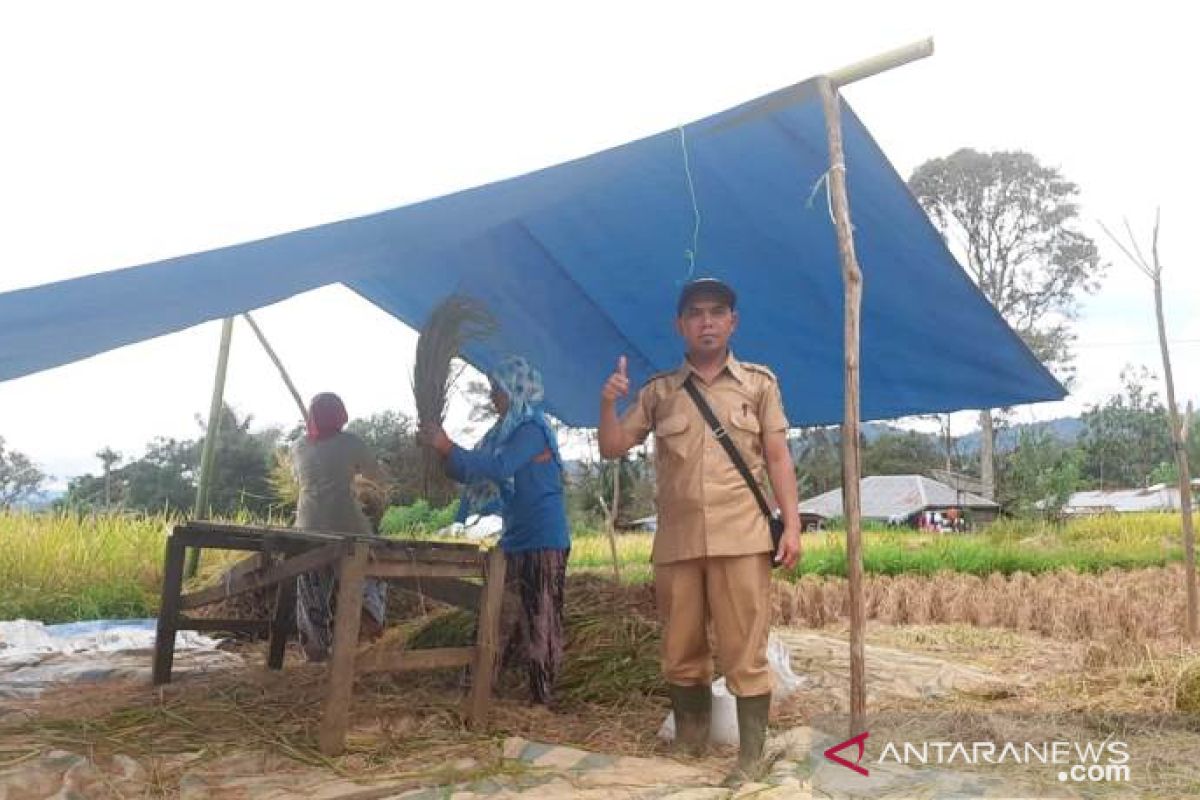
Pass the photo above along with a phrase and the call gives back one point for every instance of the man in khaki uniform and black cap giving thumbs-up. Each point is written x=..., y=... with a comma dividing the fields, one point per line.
x=712, y=550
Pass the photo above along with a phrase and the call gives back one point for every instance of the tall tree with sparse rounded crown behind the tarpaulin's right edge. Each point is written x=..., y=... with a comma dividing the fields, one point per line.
x=1013, y=221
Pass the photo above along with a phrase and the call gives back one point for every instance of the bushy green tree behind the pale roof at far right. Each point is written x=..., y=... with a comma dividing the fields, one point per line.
x=1126, y=438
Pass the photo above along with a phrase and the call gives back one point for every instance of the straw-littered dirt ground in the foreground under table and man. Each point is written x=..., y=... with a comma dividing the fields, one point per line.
x=230, y=730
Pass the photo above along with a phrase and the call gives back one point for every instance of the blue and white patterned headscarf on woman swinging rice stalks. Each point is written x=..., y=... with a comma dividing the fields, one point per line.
x=521, y=383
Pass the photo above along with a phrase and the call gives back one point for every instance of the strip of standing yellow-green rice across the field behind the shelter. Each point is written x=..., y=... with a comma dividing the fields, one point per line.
x=61, y=568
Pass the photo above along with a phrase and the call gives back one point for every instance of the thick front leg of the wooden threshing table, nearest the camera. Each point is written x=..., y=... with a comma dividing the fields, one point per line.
x=337, y=712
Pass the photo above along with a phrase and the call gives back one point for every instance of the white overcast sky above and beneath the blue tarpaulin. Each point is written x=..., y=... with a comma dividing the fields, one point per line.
x=139, y=131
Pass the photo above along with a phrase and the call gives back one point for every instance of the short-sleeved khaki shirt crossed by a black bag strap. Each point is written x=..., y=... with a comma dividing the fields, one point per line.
x=705, y=507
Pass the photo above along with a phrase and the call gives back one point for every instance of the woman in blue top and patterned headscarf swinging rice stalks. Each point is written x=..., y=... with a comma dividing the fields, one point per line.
x=517, y=471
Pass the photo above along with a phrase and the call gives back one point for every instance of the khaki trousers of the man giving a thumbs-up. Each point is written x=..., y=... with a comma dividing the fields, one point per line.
x=734, y=593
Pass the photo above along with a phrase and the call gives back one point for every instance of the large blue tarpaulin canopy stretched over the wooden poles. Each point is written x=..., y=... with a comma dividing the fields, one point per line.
x=583, y=262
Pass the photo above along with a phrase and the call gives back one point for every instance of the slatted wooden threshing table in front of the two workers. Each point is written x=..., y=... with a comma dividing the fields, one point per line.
x=445, y=572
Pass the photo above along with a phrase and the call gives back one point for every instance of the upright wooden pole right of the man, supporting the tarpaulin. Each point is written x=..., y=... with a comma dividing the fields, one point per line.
x=851, y=470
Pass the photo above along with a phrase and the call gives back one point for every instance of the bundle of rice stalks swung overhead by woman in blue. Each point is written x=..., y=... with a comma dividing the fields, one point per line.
x=457, y=321
